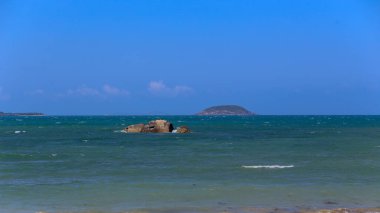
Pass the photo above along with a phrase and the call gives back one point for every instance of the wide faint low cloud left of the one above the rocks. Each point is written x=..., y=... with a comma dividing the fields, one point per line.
x=105, y=91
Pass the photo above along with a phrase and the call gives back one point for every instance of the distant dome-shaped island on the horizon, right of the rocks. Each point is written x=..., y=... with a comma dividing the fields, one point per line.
x=225, y=110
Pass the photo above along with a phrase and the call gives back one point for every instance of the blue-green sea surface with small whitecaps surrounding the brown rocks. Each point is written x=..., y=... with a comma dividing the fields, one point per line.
x=86, y=163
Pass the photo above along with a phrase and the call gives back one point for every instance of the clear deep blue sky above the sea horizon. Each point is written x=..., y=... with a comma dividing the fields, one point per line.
x=178, y=57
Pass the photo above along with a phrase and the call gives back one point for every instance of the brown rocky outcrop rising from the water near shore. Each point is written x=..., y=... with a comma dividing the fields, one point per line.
x=156, y=126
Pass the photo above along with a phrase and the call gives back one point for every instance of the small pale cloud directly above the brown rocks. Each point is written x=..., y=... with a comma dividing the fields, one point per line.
x=160, y=88
